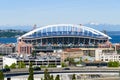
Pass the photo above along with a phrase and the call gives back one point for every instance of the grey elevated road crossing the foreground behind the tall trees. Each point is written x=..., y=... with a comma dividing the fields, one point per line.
x=18, y=72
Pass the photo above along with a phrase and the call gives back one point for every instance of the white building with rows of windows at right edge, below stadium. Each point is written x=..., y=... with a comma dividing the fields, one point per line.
x=106, y=57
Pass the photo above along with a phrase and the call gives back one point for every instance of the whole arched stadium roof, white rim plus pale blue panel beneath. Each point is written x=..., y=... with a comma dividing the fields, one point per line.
x=65, y=27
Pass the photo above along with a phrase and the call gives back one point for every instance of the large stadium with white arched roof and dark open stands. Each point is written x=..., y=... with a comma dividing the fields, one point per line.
x=61, y=36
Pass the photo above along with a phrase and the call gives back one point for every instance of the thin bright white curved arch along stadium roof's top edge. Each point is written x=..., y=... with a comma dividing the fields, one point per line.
x=73, y=25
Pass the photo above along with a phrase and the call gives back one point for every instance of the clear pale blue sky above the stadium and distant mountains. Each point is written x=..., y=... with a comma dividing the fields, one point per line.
x=44, y=12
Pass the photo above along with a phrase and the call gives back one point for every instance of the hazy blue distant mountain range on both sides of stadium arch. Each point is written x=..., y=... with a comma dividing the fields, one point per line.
x=100, y=27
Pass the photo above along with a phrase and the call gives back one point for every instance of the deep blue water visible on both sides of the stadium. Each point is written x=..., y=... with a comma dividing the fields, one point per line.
x=115, y=38
